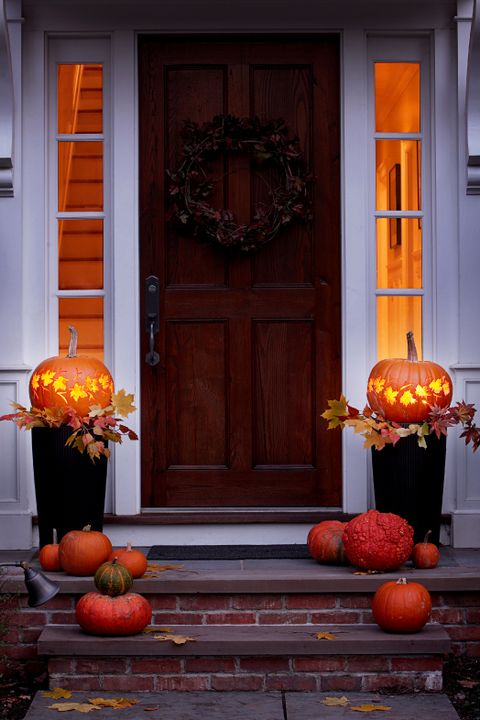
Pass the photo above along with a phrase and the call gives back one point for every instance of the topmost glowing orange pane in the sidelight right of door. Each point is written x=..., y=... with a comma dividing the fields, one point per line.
x=397, y=97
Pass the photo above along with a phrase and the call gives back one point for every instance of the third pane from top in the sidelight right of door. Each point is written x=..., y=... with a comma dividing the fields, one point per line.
x=399, y=253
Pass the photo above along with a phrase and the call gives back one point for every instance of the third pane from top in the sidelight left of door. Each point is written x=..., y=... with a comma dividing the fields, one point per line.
x=80, y=254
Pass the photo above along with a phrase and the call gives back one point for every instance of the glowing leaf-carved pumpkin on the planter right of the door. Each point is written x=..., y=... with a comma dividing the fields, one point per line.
x=403, y=390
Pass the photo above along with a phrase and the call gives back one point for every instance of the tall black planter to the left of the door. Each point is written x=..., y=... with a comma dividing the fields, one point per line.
x=69, y=487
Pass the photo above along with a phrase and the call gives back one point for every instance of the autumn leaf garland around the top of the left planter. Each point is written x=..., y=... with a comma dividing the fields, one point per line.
x=90, y=432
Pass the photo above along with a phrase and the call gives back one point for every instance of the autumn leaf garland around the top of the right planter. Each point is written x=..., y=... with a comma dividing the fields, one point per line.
x=378, y=432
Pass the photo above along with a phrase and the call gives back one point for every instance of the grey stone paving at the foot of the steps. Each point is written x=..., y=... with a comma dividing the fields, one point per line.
x=245, y=706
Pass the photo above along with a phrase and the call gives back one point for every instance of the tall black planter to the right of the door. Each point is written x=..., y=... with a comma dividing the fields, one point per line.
x=408, y=481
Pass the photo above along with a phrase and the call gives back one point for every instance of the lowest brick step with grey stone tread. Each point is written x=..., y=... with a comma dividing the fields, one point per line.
x=359, y=658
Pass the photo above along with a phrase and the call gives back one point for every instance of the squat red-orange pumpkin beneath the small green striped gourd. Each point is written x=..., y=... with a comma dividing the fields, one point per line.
x=101, y=614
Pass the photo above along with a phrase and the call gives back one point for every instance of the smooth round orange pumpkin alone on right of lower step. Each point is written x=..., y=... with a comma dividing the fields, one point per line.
x=401, y=606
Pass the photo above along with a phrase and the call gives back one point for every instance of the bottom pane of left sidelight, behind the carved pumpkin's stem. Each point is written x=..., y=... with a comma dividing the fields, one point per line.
x=86, y=314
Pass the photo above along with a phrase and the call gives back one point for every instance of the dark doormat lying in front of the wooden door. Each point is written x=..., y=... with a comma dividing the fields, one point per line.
x=227, y=552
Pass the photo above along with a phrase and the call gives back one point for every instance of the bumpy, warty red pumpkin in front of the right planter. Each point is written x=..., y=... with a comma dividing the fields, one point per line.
x=378, y=541
